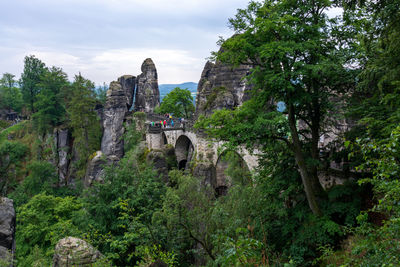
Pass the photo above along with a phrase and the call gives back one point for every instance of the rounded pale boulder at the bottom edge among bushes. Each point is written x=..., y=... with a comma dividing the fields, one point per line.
x=71, y=251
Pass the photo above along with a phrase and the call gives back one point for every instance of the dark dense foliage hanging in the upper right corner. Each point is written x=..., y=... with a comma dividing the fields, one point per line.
x=376, y=100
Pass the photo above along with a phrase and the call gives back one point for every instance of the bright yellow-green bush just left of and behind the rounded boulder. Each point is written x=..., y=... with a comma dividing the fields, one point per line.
x=41, y=223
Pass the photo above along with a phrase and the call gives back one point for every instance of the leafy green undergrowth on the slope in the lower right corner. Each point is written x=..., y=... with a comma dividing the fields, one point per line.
x=373, y=244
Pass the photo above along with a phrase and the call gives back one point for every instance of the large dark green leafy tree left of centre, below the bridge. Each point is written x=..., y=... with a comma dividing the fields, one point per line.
x=118, y=212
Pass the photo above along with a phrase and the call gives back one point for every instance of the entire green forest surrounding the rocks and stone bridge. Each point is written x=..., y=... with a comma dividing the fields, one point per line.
x=339, y=80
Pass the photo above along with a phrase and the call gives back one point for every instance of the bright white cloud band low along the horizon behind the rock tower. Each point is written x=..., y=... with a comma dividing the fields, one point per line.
x=173, y=66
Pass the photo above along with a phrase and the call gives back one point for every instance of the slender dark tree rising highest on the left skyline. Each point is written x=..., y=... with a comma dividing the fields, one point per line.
x=34, y=68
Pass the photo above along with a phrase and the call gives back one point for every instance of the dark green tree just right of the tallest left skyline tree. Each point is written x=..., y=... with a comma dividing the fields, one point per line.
x=49, y=104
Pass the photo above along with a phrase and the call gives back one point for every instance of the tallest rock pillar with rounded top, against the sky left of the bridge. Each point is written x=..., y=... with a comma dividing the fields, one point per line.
x=147, y=94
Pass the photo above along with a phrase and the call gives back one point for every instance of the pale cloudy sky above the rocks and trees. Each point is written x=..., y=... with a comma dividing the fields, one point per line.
x=104, y=39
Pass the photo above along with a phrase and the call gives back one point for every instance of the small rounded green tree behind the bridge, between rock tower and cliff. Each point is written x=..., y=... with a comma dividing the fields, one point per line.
x=178, y=102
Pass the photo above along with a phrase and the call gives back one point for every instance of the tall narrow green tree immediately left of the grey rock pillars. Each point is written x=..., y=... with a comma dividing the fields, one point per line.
x=83, y=119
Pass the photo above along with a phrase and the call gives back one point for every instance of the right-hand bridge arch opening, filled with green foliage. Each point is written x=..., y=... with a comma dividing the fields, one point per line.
x=230, y=169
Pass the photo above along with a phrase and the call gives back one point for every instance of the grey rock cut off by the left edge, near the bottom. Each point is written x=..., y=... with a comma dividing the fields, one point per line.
x=7, y=229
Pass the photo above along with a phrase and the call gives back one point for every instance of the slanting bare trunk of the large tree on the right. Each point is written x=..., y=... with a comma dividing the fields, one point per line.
x=306, y=177
